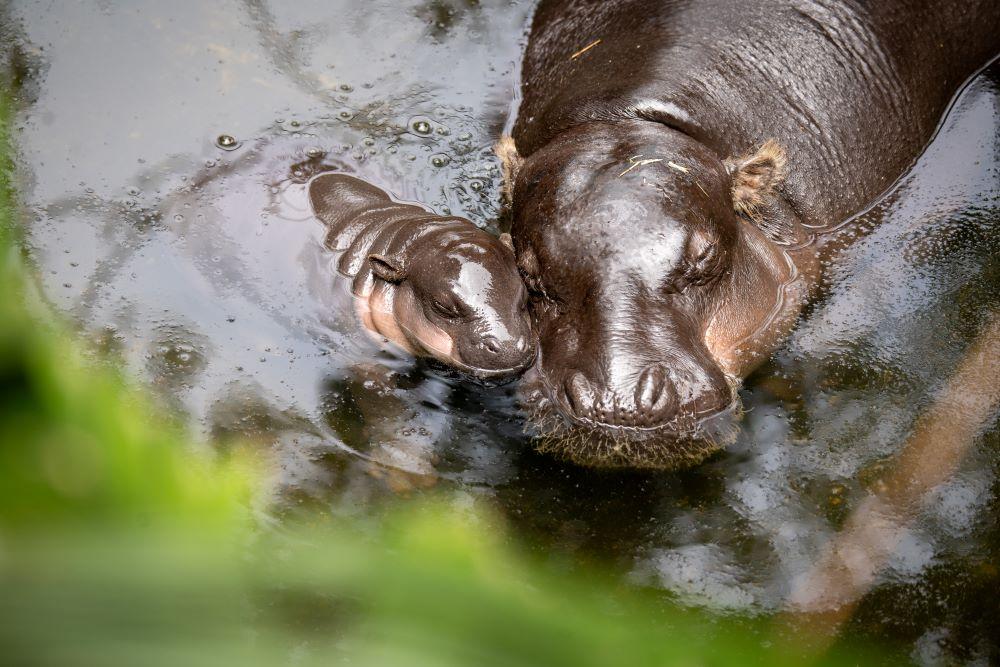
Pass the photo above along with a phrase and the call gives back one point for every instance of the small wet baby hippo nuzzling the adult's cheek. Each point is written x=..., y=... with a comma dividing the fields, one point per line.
x=437, y=286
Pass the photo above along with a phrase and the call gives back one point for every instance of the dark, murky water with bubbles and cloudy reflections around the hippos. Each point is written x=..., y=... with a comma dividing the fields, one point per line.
x=203, y=269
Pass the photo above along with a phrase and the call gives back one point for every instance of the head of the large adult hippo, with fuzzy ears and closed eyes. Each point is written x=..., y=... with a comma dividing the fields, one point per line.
x=654, y=286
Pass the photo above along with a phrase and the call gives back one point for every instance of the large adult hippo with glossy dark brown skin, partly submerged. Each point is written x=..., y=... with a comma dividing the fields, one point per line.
x=673, y=168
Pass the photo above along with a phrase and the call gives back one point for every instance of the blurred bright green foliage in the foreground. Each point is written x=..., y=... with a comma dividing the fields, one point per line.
x=121, y=546
